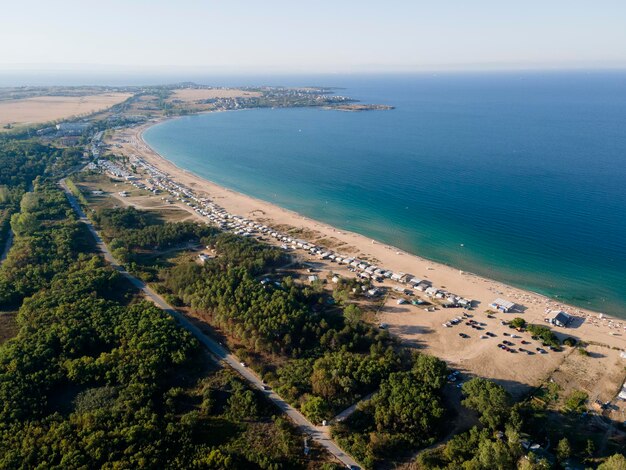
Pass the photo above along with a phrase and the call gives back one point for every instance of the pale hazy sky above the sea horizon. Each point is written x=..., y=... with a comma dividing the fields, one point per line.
x=323, y=36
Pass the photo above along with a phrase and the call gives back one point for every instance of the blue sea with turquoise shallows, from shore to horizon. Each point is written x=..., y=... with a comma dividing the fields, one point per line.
x=527, y=171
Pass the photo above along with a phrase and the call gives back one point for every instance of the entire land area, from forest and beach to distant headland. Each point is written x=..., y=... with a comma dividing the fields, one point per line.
x=238, y=334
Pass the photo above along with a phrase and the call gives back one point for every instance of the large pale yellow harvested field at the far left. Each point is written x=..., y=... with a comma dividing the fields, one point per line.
x=50, y=108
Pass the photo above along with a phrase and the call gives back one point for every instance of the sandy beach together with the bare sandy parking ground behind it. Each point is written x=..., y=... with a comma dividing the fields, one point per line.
x=604, y=369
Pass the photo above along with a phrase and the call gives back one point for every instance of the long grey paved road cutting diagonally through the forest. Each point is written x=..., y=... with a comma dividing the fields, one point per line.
x=319, y=434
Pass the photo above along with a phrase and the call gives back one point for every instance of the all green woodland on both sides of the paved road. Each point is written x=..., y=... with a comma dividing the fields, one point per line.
x=97, y=377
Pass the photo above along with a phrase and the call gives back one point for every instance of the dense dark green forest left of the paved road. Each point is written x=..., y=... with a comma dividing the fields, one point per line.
x=97, y=377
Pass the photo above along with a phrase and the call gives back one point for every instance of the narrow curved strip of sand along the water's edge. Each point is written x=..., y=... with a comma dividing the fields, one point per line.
x=467, y=284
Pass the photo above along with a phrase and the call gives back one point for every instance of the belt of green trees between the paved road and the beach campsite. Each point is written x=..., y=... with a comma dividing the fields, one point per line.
x=313, y=355
